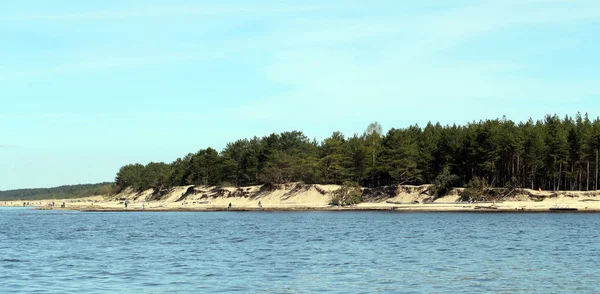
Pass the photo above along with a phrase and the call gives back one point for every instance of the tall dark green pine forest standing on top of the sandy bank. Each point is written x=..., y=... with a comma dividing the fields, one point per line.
x=553, y=154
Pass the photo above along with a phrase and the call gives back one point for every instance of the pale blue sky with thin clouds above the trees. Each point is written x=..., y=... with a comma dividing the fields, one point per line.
x=89, y=86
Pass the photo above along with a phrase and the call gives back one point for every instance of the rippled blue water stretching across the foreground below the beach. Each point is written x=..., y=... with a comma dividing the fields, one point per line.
x=297, y=252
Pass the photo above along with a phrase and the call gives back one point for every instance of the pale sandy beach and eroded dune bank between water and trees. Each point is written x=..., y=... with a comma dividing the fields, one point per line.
x=315, y=197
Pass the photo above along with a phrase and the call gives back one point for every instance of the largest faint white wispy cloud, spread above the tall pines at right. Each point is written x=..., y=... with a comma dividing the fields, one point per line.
x=412, y=66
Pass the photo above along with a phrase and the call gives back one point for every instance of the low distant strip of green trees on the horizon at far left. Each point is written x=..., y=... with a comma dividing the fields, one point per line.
x=62, y=192
